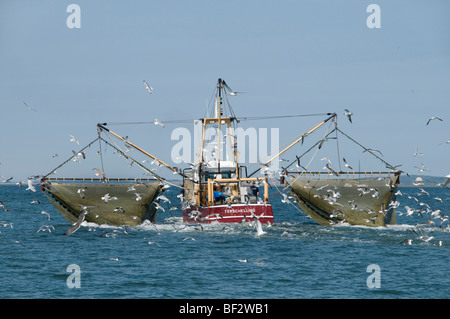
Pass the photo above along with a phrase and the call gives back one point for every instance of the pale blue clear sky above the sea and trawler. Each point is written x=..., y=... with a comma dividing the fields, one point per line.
x=290, y=57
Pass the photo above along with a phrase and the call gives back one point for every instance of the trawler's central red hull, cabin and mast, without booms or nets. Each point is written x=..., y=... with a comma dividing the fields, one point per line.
x=215, y=187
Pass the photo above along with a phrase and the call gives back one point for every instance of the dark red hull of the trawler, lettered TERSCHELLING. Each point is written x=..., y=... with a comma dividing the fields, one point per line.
x=228, y=214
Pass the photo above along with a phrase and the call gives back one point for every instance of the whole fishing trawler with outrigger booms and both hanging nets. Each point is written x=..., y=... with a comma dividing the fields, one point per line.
x=217, y=188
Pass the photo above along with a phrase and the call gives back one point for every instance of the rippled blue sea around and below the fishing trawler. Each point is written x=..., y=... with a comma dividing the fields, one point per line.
x=295, y=258
